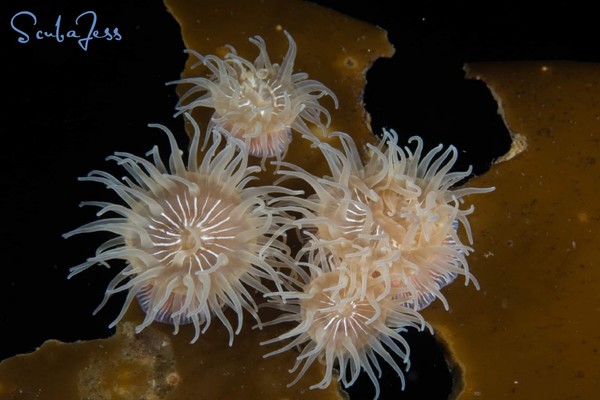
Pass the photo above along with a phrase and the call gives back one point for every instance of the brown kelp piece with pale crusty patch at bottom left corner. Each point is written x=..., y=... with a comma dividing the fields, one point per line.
x=156, y=364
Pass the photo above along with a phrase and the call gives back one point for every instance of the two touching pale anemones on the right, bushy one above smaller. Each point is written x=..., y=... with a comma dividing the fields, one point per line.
x=380, y=242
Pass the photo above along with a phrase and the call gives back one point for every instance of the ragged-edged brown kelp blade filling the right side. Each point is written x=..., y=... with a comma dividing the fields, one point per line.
x=533, y=331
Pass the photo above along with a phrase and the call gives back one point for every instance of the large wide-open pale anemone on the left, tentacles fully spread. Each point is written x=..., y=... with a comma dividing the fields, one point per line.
x=195, y=238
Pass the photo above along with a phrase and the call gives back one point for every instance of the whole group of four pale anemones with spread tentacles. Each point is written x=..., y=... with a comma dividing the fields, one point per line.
x=378, y=235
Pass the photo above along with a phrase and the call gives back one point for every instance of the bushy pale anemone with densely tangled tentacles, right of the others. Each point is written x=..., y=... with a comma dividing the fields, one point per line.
x=398, y=200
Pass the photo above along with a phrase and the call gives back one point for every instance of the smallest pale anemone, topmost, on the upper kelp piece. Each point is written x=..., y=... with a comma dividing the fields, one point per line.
x=258, y=102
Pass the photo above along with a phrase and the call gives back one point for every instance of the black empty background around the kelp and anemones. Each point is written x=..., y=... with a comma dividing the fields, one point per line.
x=64, y=110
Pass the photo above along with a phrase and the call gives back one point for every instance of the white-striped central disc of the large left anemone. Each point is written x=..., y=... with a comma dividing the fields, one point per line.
x=192, y=230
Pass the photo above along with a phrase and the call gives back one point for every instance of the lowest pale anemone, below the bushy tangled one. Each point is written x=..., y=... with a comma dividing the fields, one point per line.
x=346, y=318
